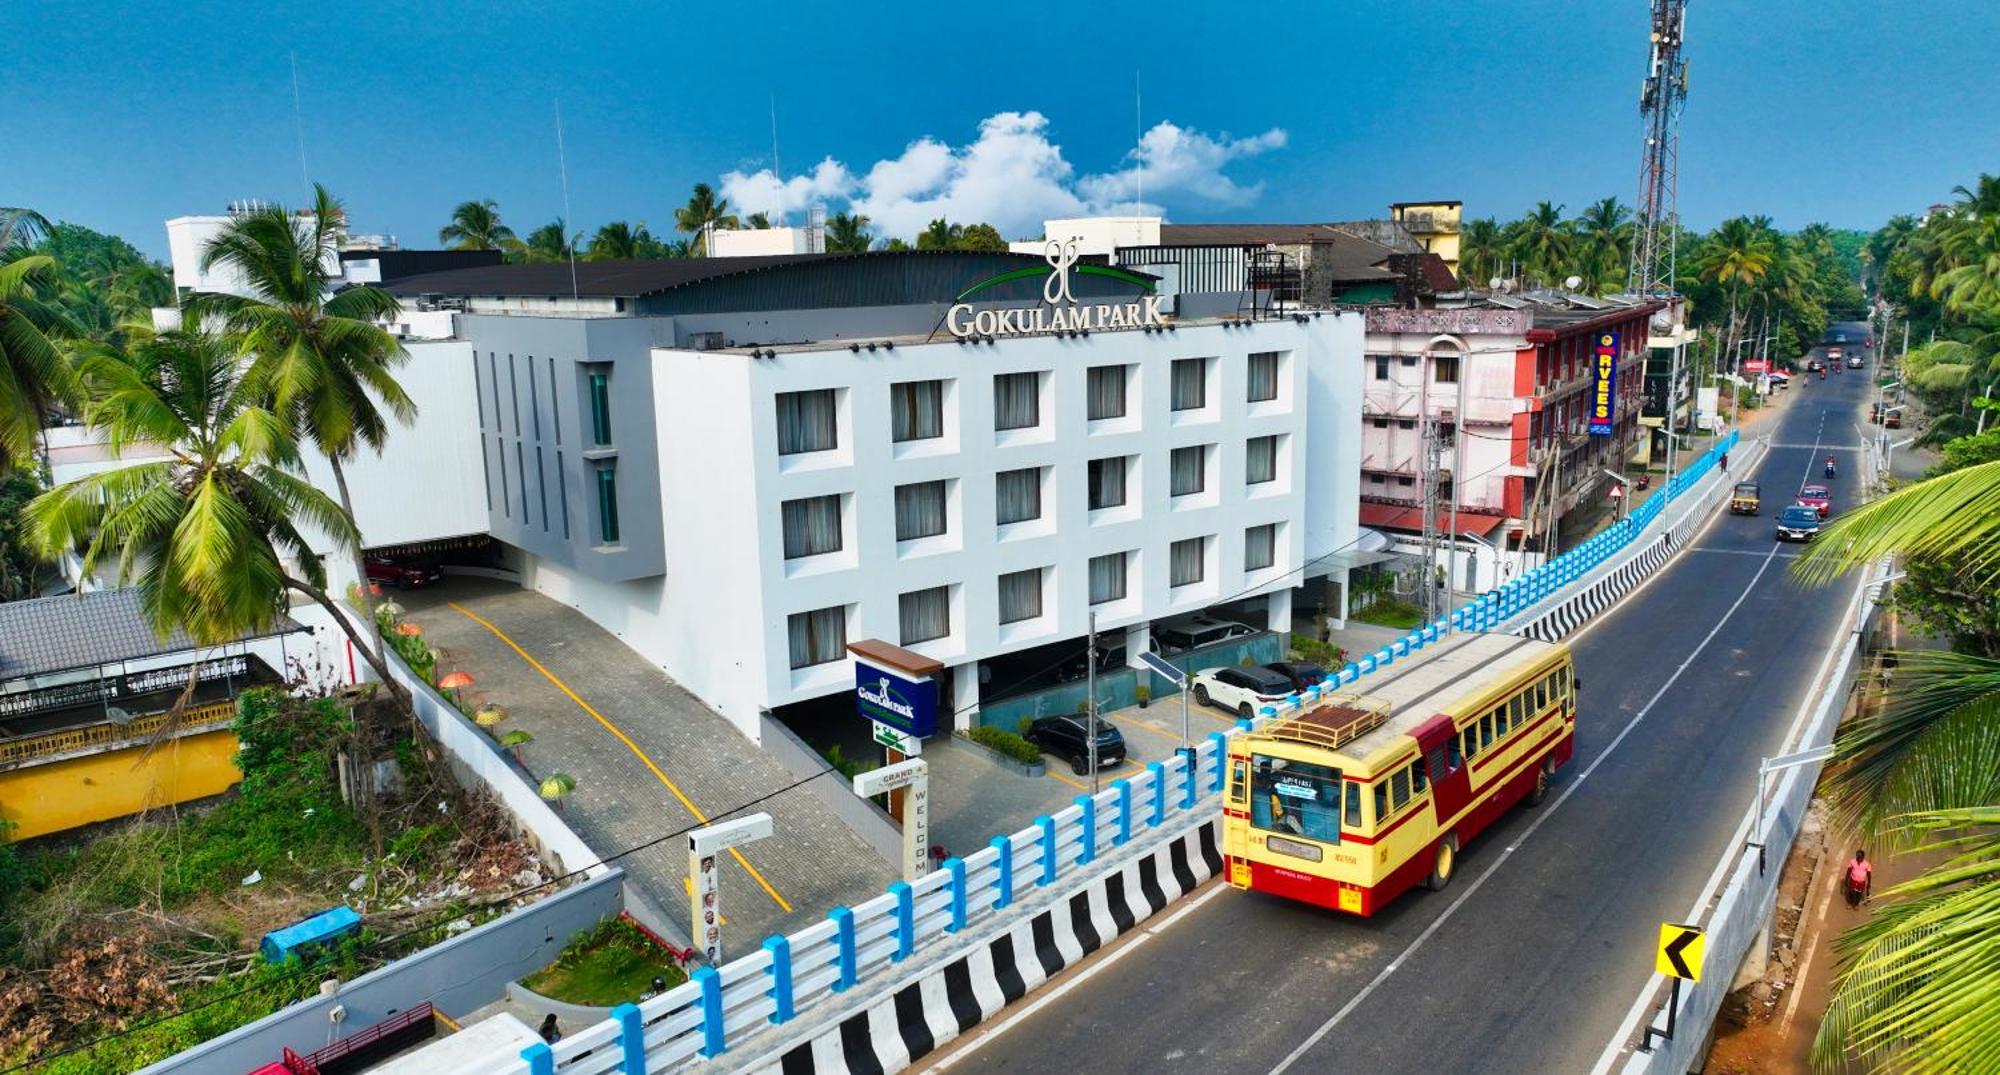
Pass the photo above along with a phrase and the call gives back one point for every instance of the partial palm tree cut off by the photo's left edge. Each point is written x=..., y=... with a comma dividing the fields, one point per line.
x=35, y=377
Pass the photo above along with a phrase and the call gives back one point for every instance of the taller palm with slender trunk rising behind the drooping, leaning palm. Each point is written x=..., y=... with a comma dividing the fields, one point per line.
x=321, y=359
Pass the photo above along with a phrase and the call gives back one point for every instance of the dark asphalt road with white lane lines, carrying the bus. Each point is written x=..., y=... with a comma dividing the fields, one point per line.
x=1537, y=952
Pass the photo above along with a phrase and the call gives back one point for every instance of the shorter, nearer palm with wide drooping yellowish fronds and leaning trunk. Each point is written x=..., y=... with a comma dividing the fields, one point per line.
x=211, y=535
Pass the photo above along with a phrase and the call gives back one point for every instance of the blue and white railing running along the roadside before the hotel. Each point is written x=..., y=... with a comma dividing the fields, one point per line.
x=795, y=974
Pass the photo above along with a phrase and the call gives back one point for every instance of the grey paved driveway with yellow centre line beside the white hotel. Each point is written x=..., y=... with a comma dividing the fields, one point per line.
x=649, y=760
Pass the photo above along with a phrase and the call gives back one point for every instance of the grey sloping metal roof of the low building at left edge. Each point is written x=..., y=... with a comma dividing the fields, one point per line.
x=87, y=630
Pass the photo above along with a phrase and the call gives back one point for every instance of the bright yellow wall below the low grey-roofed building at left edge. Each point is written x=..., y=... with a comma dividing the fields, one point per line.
x=103, y=786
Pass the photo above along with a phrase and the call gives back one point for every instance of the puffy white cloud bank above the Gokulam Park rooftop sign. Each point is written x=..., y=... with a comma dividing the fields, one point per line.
x=1011, y=177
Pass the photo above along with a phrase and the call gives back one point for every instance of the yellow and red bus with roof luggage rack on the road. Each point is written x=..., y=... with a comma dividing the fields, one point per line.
x=1361, y=796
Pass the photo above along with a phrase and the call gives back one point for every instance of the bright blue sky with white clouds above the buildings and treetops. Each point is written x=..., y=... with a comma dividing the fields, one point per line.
x=1839, y=111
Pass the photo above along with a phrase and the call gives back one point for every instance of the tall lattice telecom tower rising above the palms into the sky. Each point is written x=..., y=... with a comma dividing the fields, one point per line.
x=1659, y=101
